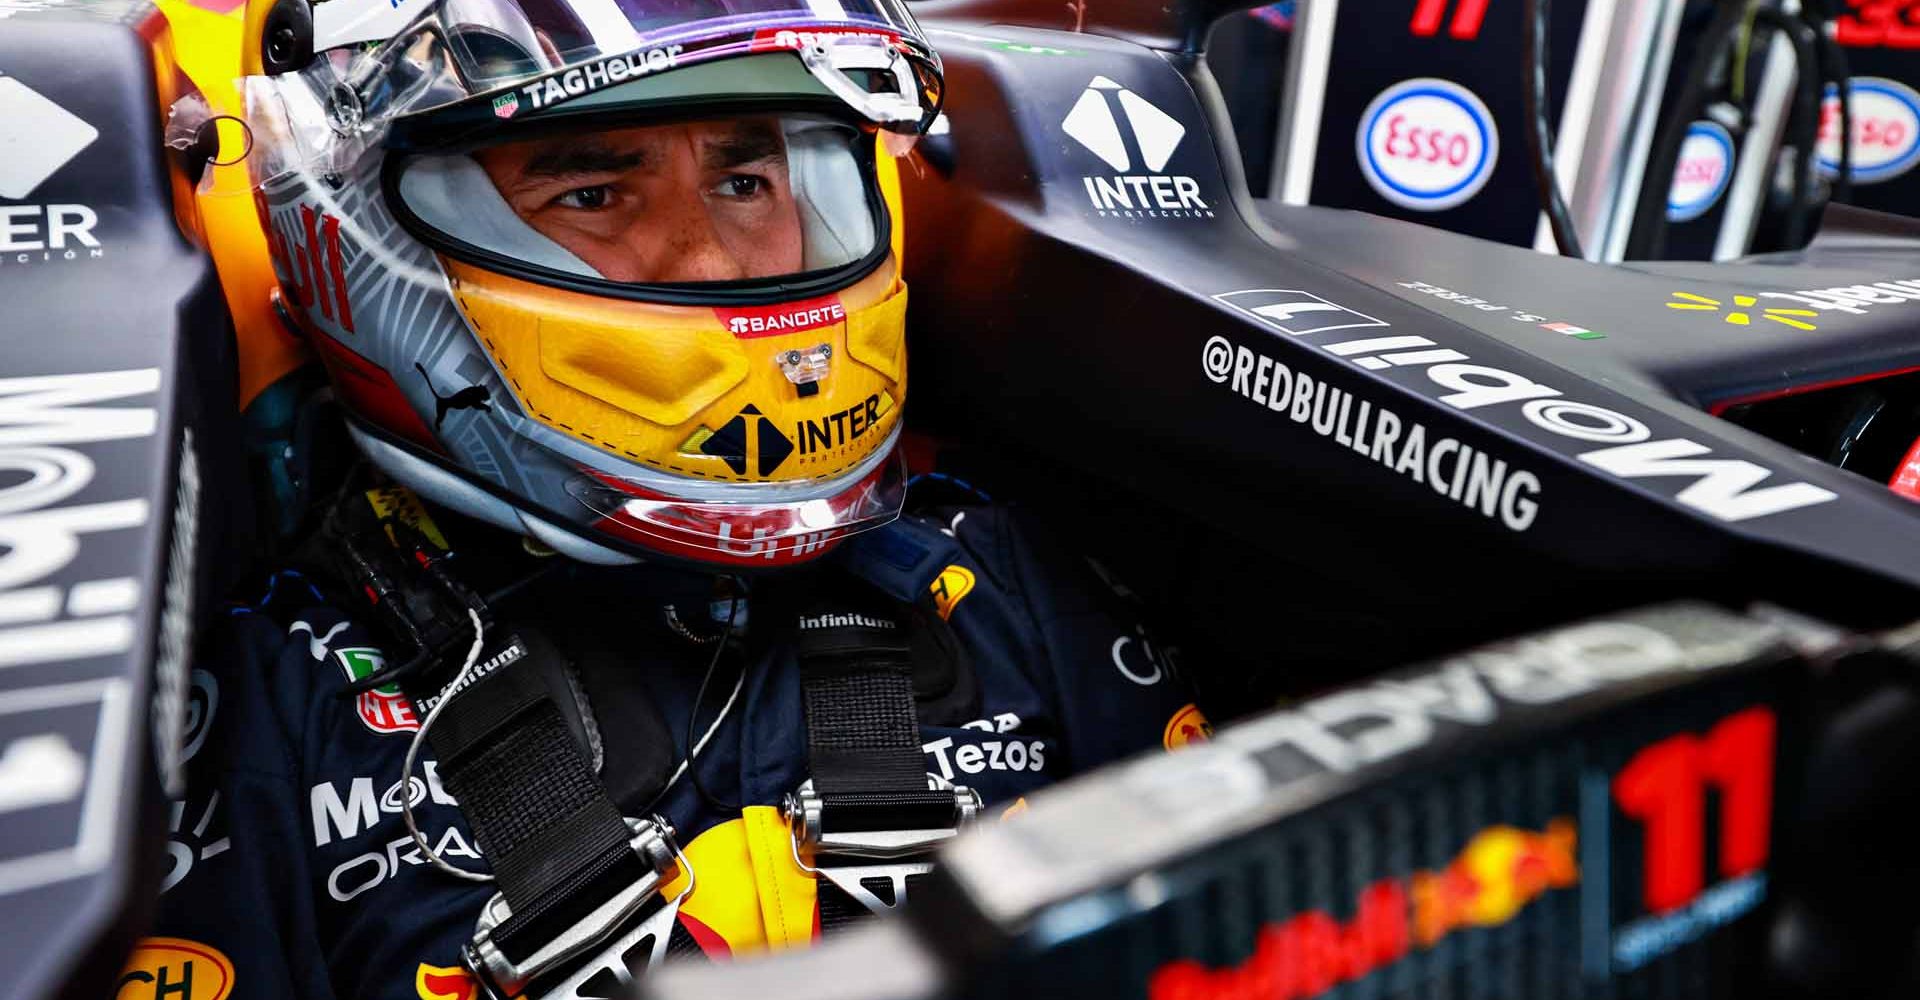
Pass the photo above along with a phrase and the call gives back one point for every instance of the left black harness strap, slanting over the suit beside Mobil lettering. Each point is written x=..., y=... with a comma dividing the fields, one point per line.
x=556, y=842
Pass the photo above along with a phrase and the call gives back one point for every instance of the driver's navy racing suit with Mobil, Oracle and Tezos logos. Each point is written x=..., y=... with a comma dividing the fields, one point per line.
x=291, y=863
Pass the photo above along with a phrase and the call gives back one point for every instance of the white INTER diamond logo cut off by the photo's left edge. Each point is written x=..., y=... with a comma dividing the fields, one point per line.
x=37, y=139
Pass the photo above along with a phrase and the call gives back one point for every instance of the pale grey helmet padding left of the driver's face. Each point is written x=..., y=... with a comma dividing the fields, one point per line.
x=456, y=197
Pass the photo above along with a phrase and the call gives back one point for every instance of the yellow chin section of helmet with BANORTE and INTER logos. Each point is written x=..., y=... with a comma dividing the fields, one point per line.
x=802, y=391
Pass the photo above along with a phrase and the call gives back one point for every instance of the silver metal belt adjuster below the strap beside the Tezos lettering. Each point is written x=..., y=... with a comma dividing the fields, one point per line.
x=850, y=859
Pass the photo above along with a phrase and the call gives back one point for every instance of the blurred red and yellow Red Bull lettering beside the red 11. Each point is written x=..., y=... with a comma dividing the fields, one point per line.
x=1489, y=884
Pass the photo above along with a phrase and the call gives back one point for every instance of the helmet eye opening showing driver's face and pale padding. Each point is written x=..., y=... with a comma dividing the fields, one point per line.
x=719, y=202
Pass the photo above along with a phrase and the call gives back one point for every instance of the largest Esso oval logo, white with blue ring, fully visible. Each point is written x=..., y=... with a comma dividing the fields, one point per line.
x=1428, y=145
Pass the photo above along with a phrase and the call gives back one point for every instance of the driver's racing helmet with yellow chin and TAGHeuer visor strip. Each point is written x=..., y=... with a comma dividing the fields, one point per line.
x=619, y=275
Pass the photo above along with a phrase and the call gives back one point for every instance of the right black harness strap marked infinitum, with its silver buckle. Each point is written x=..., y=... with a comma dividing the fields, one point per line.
x=869, y=817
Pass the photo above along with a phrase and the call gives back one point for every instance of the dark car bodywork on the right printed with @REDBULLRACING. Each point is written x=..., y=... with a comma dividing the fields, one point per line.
x=1163, y=356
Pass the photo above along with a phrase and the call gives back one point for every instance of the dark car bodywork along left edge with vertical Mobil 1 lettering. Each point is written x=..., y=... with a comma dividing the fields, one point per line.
x=124, y=513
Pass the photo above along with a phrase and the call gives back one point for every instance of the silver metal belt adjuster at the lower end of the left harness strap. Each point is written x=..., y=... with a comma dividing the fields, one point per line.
x=500, y=978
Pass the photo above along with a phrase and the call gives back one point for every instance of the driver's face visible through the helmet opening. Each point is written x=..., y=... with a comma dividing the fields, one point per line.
x=694, y=202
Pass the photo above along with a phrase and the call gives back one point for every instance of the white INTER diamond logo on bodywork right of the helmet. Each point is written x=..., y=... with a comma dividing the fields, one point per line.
x=1157, y=135
